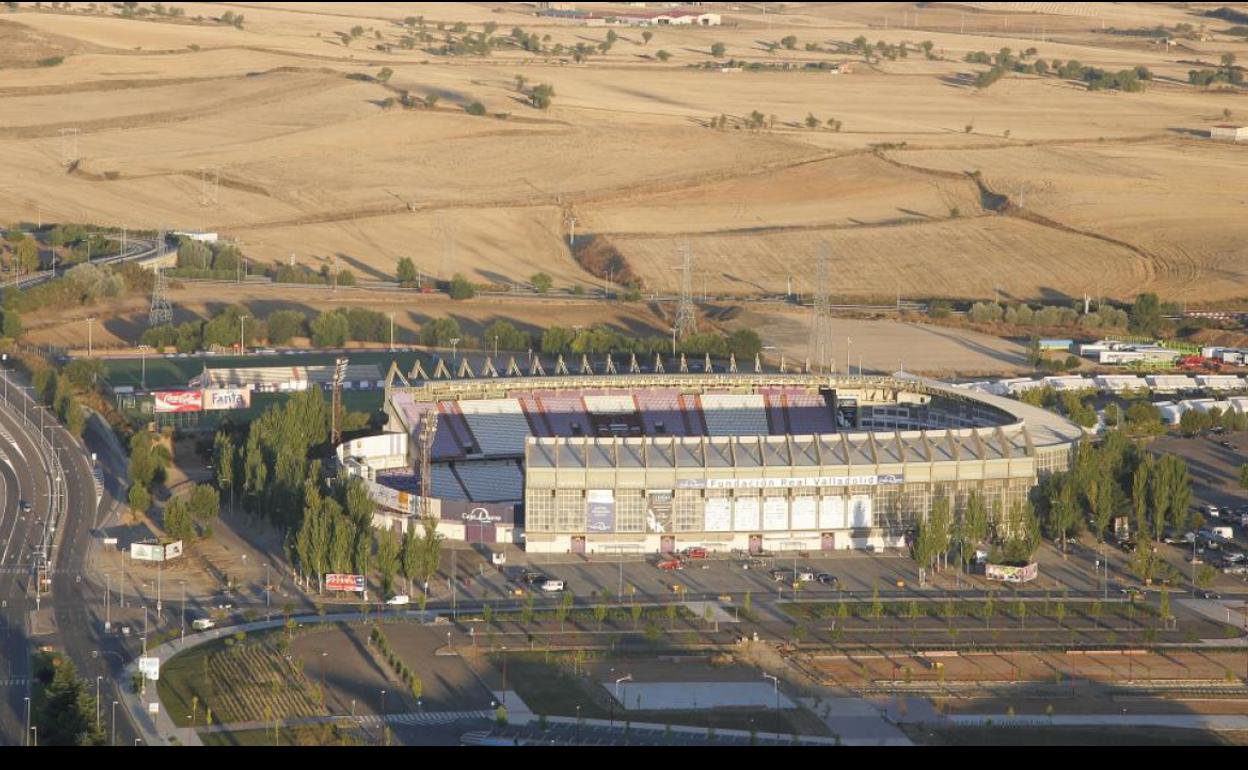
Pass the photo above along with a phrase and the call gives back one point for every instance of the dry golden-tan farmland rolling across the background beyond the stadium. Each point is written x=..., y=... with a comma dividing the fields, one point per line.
x=1110, y=193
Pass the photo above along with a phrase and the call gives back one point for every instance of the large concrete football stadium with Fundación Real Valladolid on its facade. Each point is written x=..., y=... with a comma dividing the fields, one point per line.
x=662, y=462
